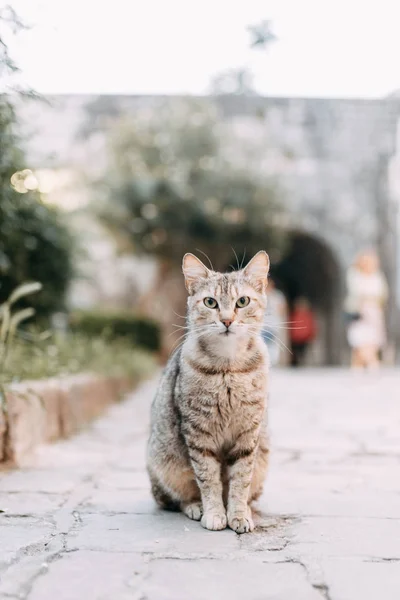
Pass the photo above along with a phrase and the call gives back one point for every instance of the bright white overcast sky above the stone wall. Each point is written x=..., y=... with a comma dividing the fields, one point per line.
x=325, y=48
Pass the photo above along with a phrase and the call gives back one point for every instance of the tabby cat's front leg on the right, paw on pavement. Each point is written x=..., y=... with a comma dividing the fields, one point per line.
x=240, y=470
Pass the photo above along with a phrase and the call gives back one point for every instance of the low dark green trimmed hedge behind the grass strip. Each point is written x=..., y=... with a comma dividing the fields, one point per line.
x=140, y=331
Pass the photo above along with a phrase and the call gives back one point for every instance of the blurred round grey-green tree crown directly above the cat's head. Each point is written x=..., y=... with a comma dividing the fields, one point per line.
x=173, y=186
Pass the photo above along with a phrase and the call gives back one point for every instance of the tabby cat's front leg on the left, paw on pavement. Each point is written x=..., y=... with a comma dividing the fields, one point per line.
x=207, y=469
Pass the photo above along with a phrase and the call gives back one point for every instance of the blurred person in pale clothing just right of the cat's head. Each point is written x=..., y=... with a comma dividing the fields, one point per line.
x=275, y=323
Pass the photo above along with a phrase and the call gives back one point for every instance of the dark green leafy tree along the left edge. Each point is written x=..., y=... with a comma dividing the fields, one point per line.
x=34, y=242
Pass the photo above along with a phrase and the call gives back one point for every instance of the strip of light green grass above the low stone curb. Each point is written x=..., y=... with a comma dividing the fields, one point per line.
x=36, y=358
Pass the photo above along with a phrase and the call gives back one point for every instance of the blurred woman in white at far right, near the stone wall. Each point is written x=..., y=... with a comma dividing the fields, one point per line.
x=365, y=303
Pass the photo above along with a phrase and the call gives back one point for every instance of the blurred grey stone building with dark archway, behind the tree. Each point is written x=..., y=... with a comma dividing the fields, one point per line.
x=338, y=162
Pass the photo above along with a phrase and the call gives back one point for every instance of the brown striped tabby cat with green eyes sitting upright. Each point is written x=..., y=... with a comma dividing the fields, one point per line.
x=208, y=447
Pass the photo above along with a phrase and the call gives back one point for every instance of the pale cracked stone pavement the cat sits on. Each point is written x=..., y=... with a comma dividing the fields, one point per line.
x=79, y=522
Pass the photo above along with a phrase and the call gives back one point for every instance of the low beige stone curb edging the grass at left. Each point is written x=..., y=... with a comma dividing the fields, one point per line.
x=44, y=411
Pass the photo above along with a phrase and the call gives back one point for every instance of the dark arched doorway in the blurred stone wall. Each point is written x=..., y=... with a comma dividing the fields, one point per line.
x=310, y=269
